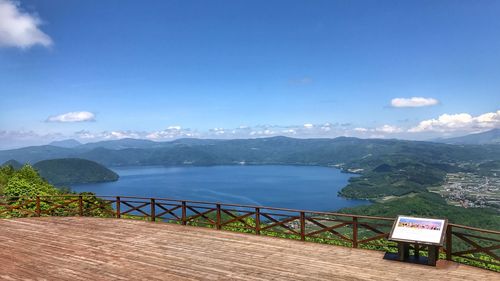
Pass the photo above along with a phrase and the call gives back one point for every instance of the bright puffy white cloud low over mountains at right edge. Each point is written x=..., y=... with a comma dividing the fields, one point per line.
x=459, y=122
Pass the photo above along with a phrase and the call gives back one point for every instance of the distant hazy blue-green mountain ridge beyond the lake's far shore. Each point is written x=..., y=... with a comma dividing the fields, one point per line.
x=274, y=150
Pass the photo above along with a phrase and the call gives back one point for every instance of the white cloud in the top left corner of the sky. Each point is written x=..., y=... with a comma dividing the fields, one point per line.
x=20, y=29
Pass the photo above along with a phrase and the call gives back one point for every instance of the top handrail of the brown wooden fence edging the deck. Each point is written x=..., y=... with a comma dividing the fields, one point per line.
x=490, y=231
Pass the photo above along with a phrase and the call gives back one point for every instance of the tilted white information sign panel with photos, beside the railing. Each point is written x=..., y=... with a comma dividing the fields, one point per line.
x=418, y=230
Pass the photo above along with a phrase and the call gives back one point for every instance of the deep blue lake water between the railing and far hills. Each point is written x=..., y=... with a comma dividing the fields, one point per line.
x=296, y=187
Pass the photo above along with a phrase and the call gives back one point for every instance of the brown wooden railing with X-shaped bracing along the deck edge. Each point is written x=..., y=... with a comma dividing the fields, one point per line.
x=464, y=244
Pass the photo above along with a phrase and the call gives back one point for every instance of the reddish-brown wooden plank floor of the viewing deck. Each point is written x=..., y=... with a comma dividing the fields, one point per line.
x=111, y=249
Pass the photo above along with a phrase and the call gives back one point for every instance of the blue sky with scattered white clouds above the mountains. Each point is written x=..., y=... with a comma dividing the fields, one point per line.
x=160, y=70
